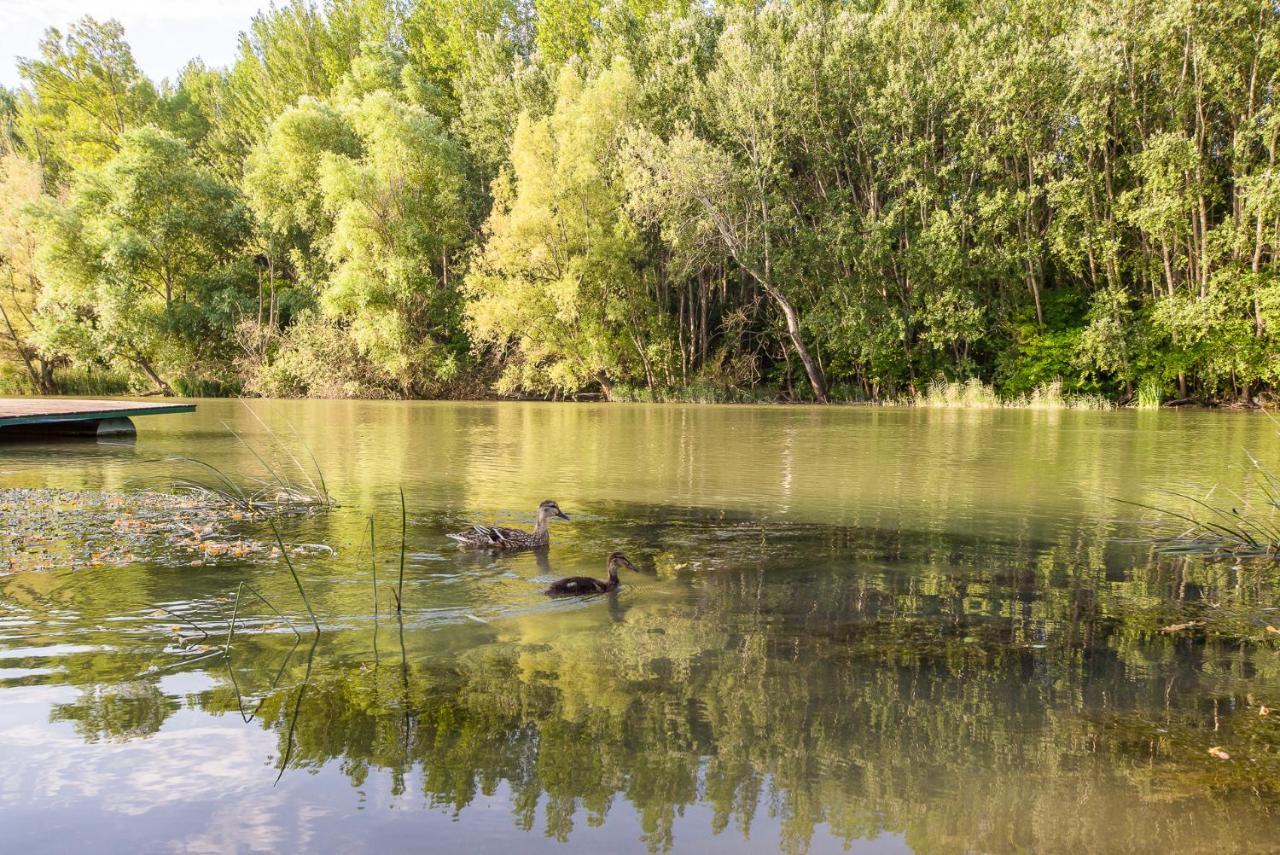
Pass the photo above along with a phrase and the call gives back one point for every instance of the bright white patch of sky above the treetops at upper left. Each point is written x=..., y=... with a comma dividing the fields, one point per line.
x=164, y=34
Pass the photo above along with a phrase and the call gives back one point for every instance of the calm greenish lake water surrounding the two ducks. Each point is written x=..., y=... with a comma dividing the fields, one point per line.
x=881, y=629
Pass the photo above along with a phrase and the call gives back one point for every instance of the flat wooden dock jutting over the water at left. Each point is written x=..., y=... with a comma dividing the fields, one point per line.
x=76, y=417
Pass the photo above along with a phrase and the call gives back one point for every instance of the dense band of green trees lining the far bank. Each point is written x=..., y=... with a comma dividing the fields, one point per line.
x=830, y=200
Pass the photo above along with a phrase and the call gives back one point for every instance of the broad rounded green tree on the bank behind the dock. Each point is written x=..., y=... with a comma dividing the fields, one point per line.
x=143, y=267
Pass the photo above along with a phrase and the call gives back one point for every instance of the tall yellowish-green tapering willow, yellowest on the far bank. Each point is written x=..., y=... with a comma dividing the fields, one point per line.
x=555, y=290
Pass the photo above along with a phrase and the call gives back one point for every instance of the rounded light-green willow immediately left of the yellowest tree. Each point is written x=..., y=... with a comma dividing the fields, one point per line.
x=401, y=217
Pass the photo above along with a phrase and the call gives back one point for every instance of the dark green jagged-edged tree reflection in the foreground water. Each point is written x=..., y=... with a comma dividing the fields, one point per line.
x=980, y=694
